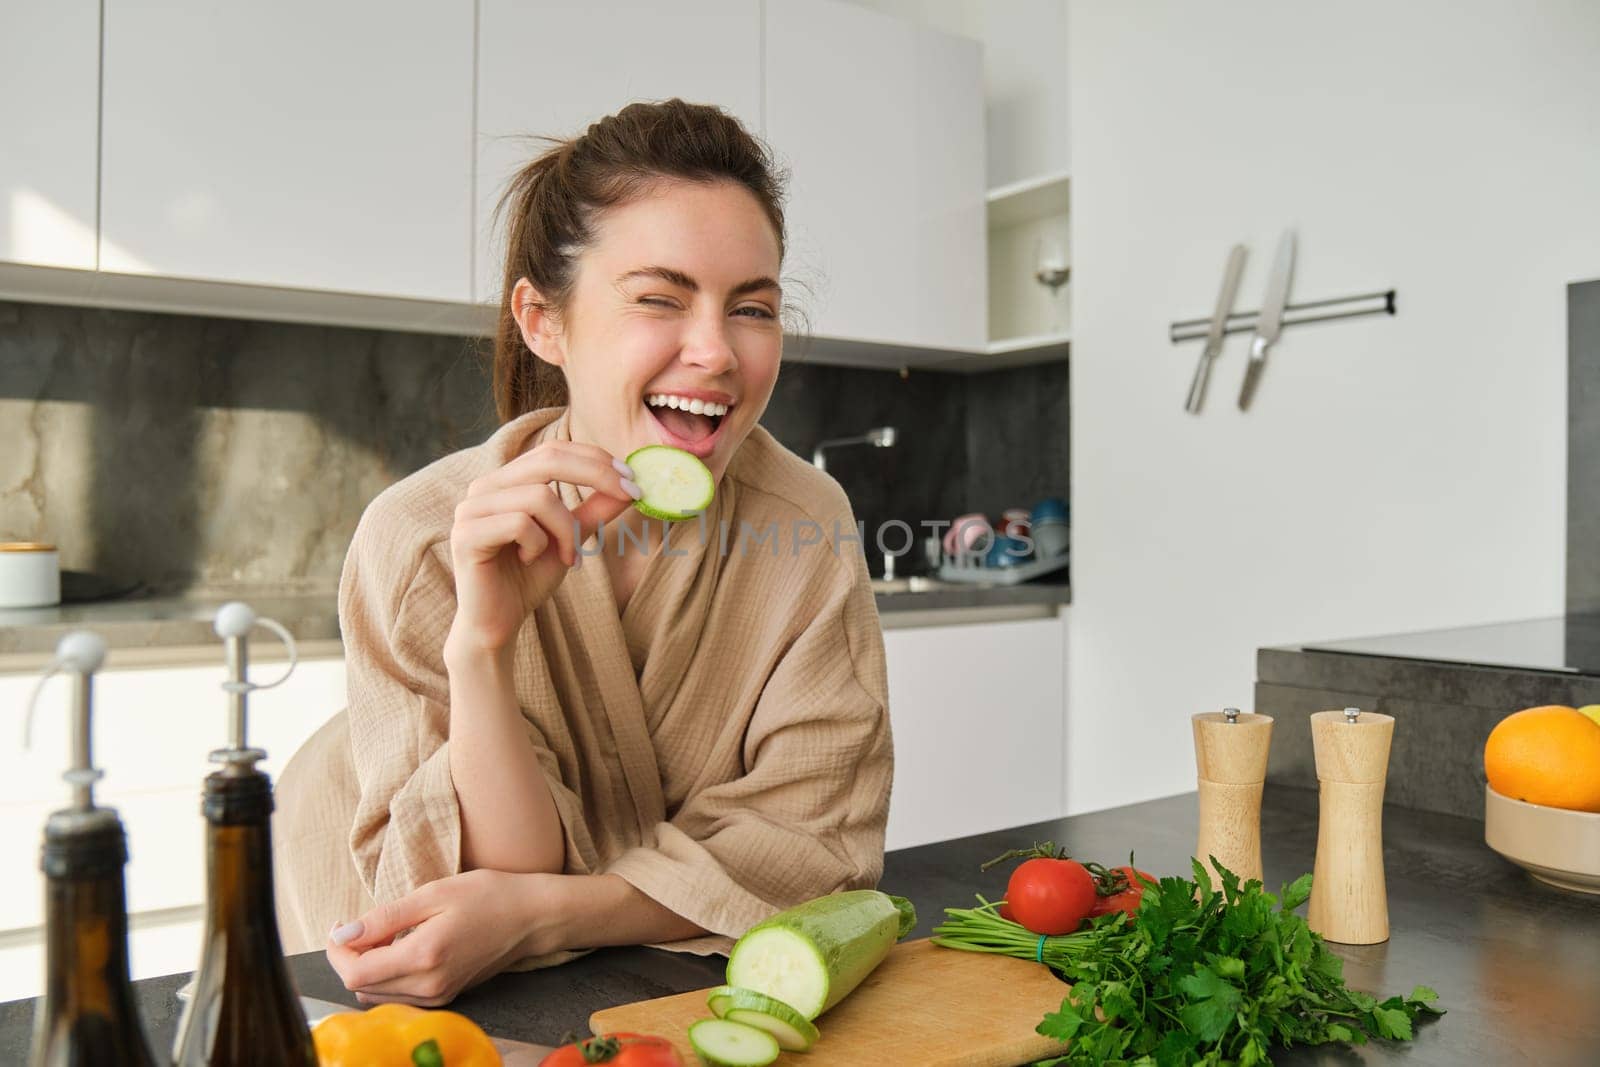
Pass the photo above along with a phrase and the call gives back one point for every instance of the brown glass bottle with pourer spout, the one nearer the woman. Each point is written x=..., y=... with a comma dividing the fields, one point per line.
x=244, y=1009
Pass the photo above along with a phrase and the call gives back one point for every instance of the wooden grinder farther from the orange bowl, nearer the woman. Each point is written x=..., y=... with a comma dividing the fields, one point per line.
x=1231, y=756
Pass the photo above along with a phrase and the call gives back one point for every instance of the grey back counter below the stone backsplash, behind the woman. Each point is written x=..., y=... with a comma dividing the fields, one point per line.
x=177, y=629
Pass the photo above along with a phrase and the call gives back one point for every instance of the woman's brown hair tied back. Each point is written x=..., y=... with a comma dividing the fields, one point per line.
x=556, y=201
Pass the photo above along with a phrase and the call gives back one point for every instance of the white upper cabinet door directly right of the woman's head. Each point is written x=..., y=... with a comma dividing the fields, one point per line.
x=882, y=124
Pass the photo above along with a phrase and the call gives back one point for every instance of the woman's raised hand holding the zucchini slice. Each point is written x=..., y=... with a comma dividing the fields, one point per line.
x=514, y=538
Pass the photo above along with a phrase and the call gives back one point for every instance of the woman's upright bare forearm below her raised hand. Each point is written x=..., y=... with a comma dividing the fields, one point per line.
x=508, y=817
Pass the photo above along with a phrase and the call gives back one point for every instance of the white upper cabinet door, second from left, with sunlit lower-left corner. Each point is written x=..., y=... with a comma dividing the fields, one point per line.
x=306, y=145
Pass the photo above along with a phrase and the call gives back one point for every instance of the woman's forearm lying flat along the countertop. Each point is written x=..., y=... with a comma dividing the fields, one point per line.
x=601, y=911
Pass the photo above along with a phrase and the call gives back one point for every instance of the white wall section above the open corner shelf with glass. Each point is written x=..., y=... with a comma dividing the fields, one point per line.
x=1025, y=76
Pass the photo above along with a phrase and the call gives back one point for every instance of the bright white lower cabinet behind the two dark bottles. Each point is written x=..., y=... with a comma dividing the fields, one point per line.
x=153, y=733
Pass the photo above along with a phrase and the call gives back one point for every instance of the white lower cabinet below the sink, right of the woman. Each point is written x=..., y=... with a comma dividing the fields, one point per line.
x=980, y=717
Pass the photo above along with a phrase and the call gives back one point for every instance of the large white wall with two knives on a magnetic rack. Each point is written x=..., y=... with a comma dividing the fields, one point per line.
x=1394, y=474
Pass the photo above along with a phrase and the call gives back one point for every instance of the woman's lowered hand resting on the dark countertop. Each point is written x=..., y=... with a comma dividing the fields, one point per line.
x=465, y=930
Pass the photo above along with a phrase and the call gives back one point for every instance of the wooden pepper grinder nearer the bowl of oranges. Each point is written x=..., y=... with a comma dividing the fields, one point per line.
x=1350, y=903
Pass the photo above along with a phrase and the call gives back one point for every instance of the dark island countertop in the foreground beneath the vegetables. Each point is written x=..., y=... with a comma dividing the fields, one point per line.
x=1518, y=964
